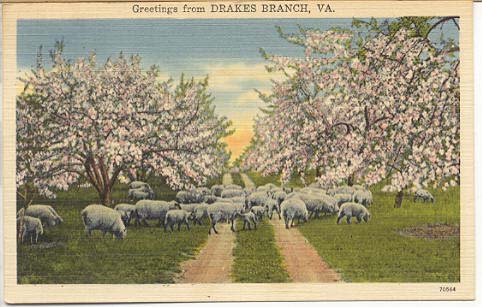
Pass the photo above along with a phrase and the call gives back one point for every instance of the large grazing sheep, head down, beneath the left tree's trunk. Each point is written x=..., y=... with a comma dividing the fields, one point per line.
x=104, y=219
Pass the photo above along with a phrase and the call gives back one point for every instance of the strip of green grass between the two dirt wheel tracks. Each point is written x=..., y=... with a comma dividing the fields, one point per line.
x=257, y=258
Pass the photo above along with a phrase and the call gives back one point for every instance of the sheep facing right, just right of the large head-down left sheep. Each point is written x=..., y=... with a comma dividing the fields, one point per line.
x=153, y=209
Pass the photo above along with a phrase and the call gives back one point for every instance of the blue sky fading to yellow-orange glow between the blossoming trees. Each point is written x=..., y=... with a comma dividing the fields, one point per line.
x=227, y=50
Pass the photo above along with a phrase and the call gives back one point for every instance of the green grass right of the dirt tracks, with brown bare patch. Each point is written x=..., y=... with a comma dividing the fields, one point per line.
x=377, y=252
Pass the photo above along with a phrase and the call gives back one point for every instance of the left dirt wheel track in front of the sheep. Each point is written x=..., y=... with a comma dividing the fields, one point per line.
x=214, y=262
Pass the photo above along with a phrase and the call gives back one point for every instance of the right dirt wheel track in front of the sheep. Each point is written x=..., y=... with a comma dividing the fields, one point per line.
x=302, y=261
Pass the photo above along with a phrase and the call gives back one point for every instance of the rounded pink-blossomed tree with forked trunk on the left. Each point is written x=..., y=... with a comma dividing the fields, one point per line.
x=77, y=122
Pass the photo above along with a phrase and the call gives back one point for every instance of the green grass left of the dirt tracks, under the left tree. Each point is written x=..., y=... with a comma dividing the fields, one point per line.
x=66, y=255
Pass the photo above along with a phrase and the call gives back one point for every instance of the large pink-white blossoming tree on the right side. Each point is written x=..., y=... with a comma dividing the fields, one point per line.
x=372, y=107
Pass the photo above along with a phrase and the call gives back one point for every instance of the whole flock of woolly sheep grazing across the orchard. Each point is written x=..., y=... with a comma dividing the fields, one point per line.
x=220, y=203
